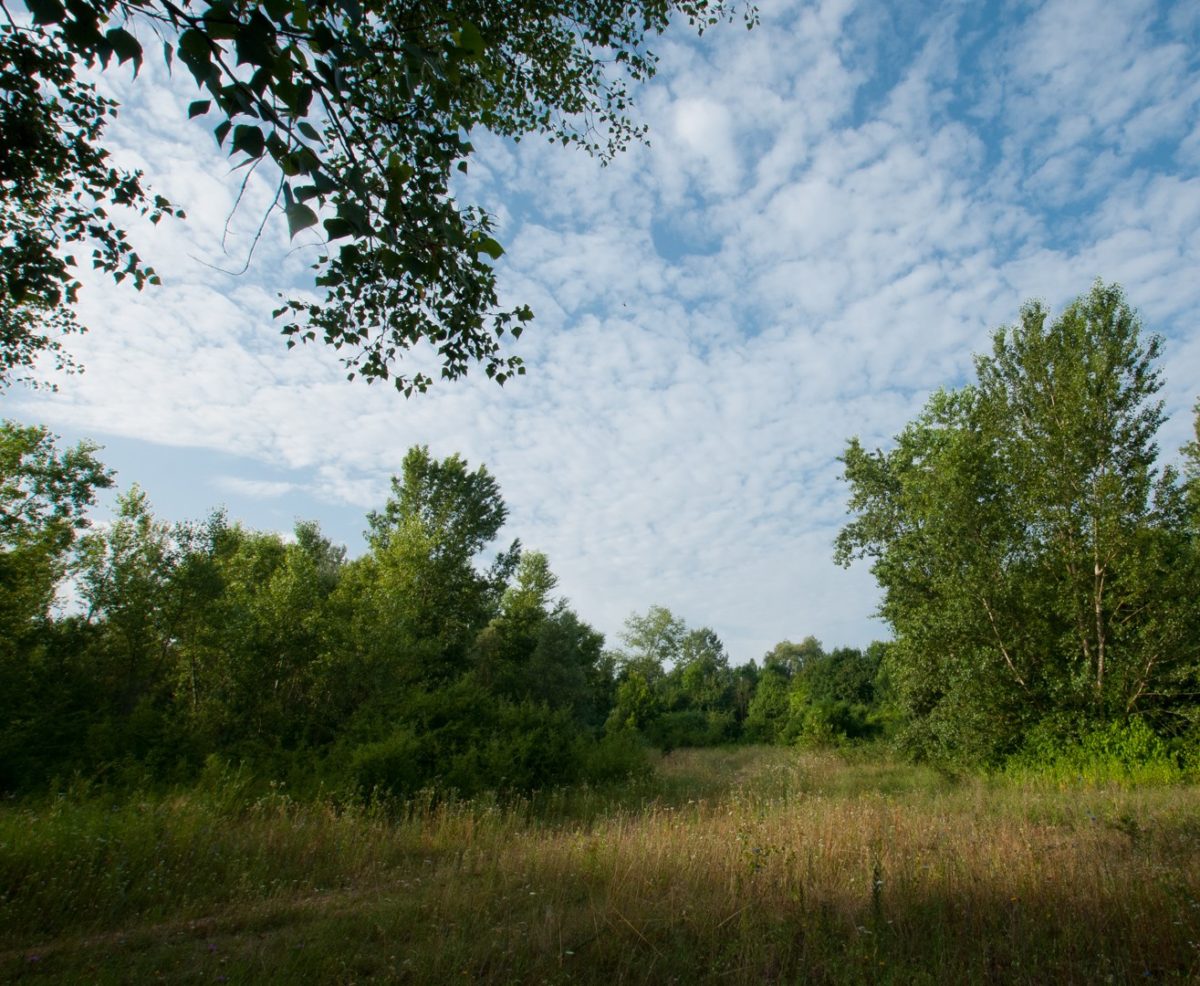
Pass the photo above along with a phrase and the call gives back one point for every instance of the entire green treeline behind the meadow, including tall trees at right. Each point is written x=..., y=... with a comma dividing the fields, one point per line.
x=1041, y=574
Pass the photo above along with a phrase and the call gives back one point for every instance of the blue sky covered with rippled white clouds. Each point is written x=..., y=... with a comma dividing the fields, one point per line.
x=833, y=214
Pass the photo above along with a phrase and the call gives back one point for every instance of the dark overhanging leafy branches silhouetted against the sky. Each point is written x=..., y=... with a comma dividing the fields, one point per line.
x=359, y=146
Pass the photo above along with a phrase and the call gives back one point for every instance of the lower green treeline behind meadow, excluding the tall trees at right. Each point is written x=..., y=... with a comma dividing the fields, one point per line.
x=433, y=660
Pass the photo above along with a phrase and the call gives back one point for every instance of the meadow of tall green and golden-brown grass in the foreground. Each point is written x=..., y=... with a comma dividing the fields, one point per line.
x=746, y=865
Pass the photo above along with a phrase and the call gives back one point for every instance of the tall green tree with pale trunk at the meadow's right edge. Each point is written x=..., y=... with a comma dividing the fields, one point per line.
x=1034, y=560
